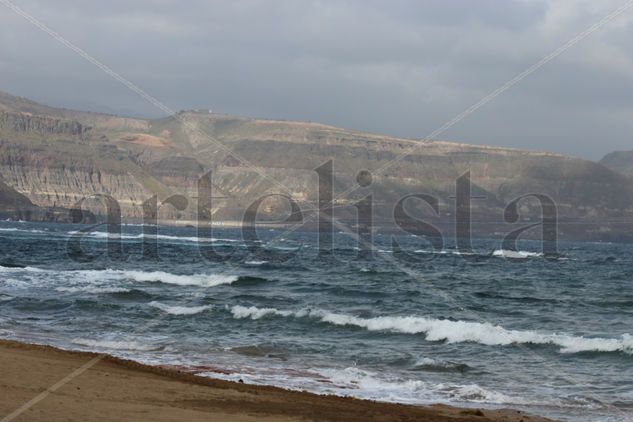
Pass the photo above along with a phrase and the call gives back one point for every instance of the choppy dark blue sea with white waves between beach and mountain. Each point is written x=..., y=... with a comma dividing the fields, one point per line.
x=548, y=336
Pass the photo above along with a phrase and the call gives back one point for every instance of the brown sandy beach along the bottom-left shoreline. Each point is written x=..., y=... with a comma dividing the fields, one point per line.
x=115, y=389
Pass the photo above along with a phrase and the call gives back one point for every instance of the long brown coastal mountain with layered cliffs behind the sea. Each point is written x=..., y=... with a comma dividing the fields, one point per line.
x=59, y=158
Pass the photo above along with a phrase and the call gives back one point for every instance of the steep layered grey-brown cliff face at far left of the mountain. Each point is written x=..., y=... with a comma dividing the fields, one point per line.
x=58, y=163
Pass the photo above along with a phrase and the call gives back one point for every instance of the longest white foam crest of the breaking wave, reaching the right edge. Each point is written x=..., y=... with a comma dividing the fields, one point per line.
x=452, y=331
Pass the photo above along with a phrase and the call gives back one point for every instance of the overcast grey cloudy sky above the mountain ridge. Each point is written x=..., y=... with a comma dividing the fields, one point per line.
x=397, y=67
